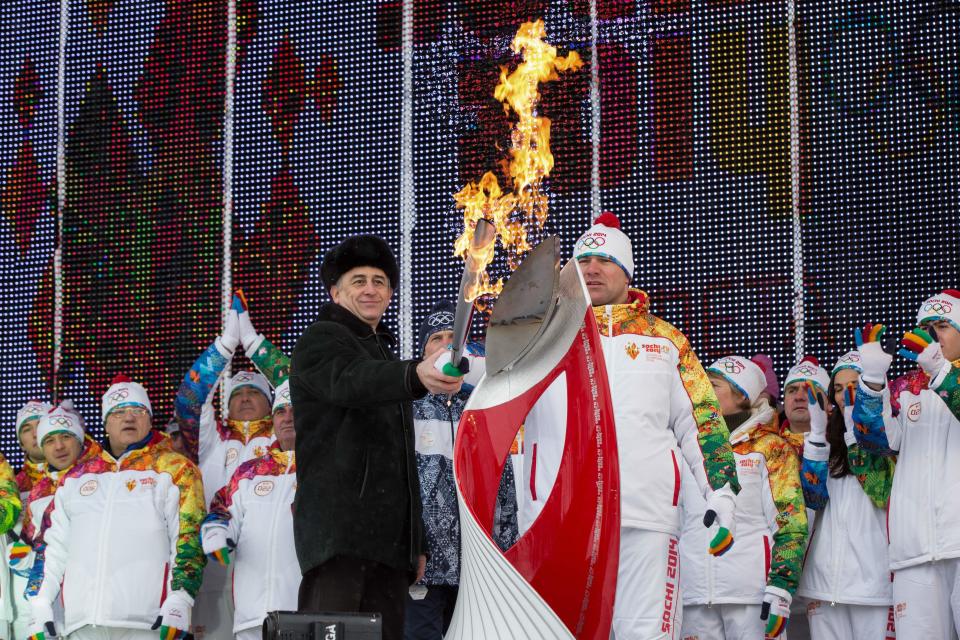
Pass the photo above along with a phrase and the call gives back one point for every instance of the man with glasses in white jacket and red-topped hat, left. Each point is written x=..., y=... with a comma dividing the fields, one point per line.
x=123, y=543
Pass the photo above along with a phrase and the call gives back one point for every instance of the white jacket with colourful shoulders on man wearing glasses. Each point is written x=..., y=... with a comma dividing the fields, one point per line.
x=120, y=535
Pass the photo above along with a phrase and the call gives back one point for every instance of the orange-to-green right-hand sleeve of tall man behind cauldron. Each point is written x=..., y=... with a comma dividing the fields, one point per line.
x=712, y=434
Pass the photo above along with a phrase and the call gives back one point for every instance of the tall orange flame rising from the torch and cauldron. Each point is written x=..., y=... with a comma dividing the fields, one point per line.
x=525, y=205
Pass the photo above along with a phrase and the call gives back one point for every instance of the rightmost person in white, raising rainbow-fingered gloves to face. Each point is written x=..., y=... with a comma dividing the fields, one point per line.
x=924, y=512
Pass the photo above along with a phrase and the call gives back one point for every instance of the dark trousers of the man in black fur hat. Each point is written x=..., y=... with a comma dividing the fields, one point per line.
x=352, y=585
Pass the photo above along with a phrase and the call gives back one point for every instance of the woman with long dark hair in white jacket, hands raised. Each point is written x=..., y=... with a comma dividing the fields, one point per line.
x=846, y=578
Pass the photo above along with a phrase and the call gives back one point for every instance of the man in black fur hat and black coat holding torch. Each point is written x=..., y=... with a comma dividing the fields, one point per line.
x=357, y=516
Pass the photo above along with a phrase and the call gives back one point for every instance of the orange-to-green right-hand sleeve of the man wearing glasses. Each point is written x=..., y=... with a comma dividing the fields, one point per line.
x=184, y=518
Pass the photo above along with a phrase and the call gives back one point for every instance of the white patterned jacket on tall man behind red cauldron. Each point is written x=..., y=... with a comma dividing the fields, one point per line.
x=664, y=410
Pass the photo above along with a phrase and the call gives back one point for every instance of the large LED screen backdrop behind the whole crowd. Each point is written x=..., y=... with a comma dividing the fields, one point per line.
x=787, y=170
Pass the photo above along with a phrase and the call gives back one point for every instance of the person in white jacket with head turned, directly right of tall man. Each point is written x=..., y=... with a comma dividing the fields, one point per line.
x=745, y=594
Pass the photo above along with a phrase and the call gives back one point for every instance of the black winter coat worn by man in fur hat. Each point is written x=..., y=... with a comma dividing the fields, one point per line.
x=357, y=489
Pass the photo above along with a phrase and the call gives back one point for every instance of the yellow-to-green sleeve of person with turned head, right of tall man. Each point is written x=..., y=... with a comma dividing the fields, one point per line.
x=790, y=537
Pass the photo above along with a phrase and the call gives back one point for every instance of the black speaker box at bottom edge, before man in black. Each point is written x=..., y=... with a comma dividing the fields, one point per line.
x=290, y=625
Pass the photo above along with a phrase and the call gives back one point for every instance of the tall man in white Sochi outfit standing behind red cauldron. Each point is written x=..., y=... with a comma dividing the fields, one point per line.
x=665, y=413
